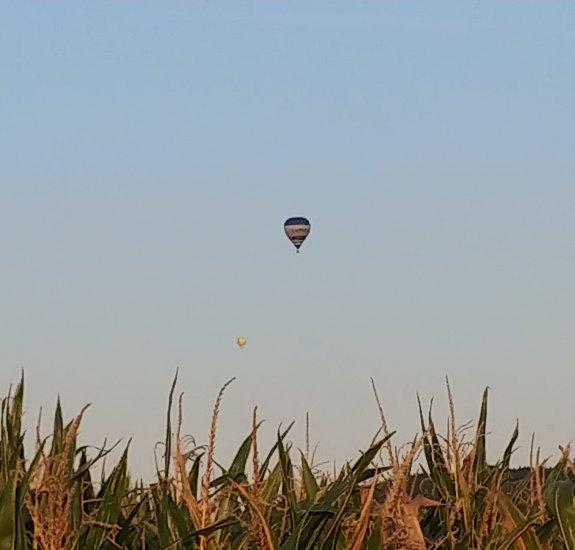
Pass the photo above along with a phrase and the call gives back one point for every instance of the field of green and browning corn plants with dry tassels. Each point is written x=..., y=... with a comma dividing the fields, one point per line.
x=54, y=499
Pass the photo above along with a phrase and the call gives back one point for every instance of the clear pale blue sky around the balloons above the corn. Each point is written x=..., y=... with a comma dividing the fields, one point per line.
x=150, y=152
